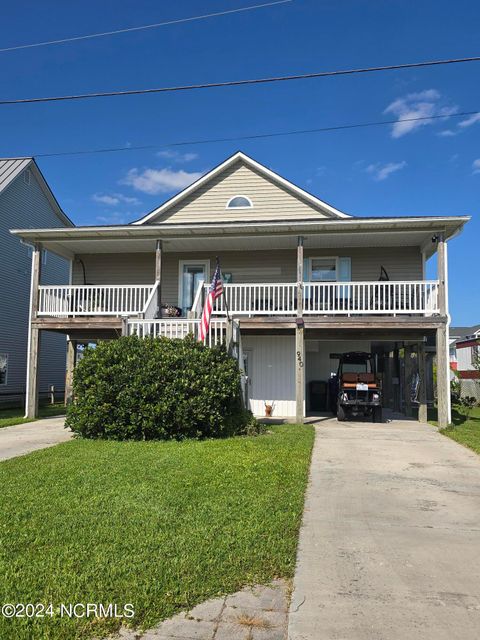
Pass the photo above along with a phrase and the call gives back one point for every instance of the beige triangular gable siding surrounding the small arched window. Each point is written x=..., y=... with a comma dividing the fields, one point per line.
x=270, y=200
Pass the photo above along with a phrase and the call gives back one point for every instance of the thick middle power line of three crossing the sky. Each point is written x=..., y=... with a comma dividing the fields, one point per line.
x=236, y=83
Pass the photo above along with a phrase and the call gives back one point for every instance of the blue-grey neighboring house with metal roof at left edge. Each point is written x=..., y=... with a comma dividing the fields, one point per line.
x=26, y=200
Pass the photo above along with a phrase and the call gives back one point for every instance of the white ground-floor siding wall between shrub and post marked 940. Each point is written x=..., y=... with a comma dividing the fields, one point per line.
x=272, y=373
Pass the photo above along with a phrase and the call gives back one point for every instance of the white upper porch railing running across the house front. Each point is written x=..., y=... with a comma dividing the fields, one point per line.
x=322, y=298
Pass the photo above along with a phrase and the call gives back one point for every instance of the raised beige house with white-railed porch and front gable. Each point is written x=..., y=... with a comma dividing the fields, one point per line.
x=304, y=281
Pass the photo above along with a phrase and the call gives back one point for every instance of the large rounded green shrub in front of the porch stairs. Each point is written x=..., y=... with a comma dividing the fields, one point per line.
x=143, y=389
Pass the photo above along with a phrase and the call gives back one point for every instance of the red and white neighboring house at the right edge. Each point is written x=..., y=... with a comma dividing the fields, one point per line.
x=465, y=358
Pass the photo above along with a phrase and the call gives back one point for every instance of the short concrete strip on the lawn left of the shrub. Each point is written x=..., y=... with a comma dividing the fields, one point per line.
x=24, y=438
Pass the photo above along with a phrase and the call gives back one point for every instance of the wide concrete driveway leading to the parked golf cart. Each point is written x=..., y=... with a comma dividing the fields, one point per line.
x=390, y=543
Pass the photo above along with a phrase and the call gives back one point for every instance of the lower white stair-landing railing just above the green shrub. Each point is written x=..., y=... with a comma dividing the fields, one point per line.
x=178, y=328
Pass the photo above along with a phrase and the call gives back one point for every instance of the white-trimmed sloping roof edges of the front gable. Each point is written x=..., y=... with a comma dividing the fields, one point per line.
x=327, y=209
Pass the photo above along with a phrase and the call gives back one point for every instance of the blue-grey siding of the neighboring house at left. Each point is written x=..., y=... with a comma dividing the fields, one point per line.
x=25, y=205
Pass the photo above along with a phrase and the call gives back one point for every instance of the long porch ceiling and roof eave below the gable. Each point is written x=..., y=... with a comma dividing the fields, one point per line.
x=352, y=232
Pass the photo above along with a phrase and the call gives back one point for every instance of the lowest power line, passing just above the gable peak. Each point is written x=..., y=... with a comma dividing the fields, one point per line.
x=256, y=136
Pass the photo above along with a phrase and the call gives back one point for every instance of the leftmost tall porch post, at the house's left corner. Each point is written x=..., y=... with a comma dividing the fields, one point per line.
x=33, y=344
